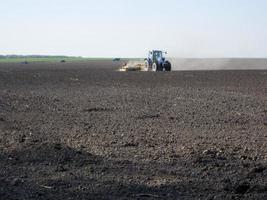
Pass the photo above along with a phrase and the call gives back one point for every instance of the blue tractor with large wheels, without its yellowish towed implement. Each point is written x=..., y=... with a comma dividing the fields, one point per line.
x=157, y=62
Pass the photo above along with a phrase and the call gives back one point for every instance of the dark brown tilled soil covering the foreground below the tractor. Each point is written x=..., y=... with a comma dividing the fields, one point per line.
x=86, y=131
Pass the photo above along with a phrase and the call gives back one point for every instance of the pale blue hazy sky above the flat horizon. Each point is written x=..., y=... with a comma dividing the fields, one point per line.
x=129, y=28
